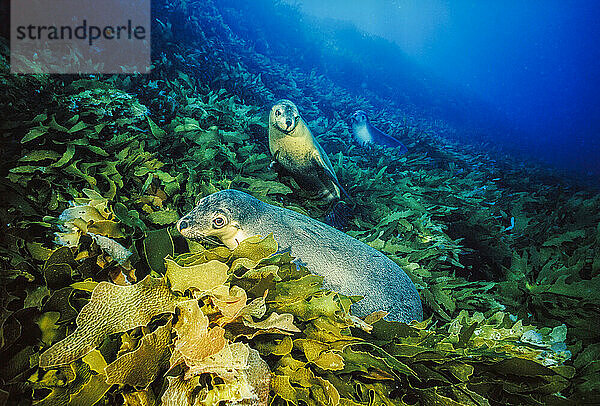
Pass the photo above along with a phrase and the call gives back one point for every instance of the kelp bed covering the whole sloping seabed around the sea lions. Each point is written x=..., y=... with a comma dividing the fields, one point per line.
x=506, y=257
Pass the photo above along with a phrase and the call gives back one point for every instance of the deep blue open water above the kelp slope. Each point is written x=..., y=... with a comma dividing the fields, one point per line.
x=529, y=67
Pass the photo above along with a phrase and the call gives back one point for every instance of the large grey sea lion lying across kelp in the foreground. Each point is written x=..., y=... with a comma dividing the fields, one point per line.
x=348, y=265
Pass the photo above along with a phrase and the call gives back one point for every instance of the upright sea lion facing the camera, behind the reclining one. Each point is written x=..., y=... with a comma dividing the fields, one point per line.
x=294, y=147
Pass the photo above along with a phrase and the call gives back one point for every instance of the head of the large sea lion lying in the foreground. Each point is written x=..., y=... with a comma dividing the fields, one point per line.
x=224, y=215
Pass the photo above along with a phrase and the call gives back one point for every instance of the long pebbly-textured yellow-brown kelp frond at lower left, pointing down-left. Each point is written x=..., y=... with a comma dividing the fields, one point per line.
x=112, y=309
